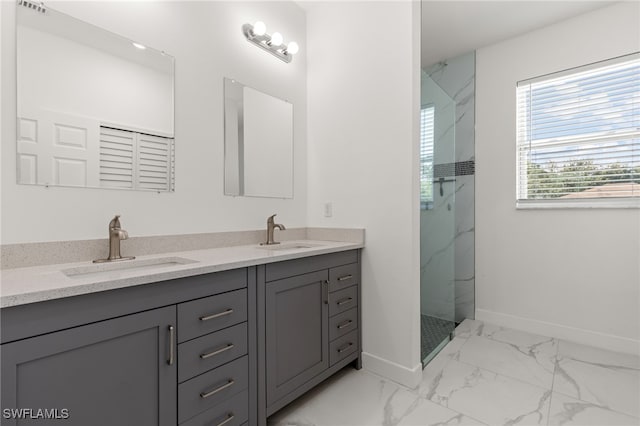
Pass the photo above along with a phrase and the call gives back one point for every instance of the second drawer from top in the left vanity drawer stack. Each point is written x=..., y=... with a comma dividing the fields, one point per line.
x=210, y=351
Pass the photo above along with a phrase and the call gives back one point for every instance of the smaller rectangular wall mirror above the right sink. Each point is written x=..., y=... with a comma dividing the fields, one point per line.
x=258, y=136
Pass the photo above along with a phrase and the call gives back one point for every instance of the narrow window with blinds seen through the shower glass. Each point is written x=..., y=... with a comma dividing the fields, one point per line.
x=427, y=114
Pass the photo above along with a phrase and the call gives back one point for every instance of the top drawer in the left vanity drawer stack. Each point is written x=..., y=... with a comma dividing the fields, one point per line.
x=203, y=316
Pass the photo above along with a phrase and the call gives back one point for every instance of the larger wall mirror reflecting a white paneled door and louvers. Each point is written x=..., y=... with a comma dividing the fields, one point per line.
x=94, y=109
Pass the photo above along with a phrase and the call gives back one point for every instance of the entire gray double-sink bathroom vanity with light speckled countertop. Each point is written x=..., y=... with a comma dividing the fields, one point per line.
x=209, y=342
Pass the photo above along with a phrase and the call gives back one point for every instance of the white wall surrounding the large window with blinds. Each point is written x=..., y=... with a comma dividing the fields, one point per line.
x=573, y=274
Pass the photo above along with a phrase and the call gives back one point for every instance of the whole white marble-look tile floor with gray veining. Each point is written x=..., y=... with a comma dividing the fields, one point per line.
x=485, y=375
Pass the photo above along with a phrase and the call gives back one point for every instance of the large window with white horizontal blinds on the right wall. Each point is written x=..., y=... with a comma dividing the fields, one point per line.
x=578, y=136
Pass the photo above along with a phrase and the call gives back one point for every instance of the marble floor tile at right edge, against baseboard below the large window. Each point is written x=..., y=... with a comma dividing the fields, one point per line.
x=607, y=379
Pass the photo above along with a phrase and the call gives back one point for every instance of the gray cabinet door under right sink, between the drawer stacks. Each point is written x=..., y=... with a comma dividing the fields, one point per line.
x=296, y=332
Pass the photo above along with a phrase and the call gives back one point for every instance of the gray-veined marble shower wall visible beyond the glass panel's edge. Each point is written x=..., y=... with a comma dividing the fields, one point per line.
x=457, y=78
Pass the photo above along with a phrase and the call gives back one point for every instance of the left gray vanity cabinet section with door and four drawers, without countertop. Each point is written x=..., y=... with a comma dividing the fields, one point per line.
x=172, y=352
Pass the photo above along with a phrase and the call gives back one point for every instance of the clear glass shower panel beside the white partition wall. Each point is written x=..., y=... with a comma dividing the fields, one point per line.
x=437, y=218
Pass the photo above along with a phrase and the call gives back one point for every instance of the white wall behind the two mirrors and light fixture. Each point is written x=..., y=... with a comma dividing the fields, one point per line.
x=207, y=42
